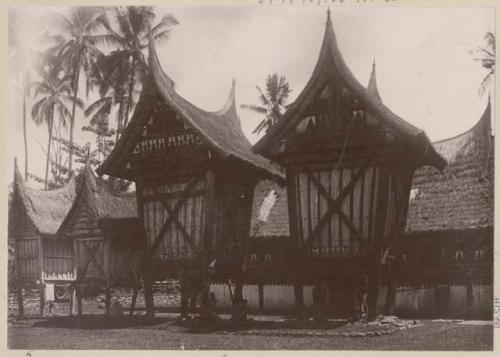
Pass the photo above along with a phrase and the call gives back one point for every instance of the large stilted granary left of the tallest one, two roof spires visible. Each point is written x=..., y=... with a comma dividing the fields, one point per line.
x=195, y=175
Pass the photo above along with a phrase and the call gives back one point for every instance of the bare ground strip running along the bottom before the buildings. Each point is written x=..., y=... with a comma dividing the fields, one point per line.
x=262, y=333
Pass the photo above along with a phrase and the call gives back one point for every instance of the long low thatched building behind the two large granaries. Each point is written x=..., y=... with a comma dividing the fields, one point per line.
x=442, y=266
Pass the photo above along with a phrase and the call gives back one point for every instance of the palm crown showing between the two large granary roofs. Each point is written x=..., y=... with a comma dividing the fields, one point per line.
x=272, y=102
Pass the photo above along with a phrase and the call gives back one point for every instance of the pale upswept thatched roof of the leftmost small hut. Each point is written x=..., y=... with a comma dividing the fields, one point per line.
x=45, y=208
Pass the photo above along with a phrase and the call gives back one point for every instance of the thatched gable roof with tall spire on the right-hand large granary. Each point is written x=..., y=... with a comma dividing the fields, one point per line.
x=330, y=59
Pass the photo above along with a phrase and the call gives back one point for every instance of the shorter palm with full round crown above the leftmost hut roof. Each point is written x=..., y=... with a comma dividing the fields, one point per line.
x=54, y=94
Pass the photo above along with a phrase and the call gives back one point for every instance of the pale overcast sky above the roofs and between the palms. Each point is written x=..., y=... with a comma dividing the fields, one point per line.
x=425, y=72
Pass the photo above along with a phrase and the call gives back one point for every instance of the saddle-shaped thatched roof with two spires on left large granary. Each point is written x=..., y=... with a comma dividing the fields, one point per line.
x=220, y=130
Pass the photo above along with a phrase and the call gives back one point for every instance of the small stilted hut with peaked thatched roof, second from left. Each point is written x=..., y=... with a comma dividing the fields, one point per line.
x=103, y=229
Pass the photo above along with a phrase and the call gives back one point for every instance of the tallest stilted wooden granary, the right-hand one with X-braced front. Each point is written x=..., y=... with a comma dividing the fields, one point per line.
x=349, y=163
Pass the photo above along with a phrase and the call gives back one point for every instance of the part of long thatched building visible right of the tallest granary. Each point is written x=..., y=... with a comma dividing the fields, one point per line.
x=445, y=262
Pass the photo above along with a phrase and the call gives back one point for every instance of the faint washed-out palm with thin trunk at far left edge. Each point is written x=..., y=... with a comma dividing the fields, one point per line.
x=18, y=55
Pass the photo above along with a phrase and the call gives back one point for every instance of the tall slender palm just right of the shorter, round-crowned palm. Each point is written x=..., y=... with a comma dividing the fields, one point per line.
x=78, y=52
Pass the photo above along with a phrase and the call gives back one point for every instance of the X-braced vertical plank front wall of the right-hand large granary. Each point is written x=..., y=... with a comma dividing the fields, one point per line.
x=335, y=231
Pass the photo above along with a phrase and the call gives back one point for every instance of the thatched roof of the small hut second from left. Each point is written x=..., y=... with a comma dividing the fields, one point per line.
x=100, y=200
